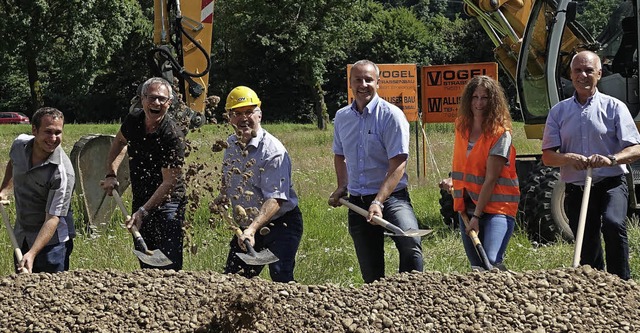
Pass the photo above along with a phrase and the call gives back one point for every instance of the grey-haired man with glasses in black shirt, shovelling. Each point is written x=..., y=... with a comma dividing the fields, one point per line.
x=155, y=144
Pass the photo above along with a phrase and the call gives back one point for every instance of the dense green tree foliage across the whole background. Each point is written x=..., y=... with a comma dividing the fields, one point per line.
x=88, y=57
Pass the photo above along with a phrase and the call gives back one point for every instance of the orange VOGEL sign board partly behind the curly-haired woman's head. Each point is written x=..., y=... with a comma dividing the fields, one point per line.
x=442, y=88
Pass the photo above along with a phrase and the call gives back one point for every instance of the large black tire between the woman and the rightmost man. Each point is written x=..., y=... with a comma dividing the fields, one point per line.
x=541, y=208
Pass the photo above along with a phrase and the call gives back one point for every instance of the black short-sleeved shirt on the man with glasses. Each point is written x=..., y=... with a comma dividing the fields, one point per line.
x=149, y=153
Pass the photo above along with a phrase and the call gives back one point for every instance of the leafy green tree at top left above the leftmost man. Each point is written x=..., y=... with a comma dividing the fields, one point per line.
x=62, y=46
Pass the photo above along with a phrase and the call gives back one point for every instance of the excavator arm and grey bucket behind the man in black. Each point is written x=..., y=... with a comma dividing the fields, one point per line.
x=182, y=36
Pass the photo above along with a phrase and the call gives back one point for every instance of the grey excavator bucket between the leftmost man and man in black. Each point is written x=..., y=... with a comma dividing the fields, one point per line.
x=89, y=158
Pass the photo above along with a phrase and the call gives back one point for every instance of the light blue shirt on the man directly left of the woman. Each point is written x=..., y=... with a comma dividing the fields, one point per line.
x=368, y=141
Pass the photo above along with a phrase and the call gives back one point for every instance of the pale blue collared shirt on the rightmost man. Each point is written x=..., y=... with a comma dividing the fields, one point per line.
x=603, y=125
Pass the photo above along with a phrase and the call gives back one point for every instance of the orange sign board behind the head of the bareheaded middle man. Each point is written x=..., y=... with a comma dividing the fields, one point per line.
x=398, y=85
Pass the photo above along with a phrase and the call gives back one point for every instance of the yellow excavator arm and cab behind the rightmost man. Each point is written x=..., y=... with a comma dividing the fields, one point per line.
x=535, y=40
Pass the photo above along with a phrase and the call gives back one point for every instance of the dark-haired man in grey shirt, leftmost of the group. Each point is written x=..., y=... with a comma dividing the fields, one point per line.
x=43, y=178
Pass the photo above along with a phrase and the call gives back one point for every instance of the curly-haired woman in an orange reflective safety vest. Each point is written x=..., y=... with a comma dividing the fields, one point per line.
x=483, y=178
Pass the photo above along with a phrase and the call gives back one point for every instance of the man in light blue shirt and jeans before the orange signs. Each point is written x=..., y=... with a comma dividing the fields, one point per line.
x=371, y=148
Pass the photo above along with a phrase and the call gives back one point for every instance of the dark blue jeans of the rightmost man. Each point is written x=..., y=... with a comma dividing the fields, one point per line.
x=607, y=213
